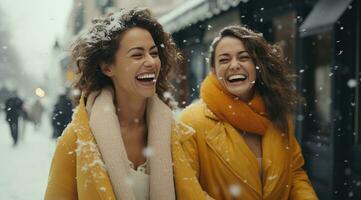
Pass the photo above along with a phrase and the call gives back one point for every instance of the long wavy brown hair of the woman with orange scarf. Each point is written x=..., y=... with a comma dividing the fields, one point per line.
x=274, y=78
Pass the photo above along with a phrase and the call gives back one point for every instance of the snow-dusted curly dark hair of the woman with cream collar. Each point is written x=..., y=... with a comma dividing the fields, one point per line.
x=100, y=44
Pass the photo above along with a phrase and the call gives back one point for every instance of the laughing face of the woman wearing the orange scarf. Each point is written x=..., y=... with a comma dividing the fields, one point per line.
x=234, y=68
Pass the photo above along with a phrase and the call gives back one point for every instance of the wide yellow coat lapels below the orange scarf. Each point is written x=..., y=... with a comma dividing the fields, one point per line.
x=234, y=152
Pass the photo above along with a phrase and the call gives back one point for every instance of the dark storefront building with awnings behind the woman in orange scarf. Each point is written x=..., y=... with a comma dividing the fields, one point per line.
x=321, y=41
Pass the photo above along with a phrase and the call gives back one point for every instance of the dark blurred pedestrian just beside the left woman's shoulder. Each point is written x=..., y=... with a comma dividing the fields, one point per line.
x=63, y=110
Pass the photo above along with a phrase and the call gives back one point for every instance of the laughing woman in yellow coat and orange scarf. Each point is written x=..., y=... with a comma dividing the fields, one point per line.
x=244, y=145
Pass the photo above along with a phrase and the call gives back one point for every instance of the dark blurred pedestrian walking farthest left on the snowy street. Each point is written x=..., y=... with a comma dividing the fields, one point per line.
x=14, y=109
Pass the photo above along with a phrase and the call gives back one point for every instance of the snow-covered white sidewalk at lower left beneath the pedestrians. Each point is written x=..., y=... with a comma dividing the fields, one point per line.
x=24, y=169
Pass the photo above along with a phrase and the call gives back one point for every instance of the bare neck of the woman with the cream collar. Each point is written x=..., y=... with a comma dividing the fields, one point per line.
x=130, y=109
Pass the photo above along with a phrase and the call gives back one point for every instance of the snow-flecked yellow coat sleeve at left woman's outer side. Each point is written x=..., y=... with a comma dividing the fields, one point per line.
x=62, y=175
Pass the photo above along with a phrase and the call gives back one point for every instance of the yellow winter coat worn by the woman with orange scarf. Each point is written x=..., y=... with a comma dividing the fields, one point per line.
x=218, y=161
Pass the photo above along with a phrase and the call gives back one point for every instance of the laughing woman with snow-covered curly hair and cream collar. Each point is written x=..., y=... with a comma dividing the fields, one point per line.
x=118, y=145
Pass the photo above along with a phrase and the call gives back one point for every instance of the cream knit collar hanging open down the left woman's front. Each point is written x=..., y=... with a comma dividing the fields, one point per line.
x=106, y=130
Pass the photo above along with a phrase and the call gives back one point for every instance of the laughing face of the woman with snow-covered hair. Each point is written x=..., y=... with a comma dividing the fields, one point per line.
x=137, y=64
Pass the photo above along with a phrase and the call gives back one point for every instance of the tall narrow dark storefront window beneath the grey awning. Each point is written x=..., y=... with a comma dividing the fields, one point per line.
x=317, y=78
